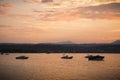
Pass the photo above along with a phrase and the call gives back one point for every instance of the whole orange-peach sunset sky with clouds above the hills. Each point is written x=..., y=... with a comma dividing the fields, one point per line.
x=41, y=21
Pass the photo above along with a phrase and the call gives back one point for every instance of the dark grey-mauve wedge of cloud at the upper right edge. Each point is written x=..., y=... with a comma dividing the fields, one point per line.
x=105, y=11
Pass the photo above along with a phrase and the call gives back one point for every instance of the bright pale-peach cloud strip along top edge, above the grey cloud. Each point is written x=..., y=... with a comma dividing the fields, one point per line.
x=71, y=3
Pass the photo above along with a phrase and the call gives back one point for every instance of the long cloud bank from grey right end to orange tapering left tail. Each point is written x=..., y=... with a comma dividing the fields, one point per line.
x=104, y=11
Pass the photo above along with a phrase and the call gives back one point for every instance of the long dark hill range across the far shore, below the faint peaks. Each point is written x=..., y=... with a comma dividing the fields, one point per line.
x=59, y=48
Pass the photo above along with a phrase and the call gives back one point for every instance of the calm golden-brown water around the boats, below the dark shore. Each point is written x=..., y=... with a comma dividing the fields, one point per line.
x=52, y=67
